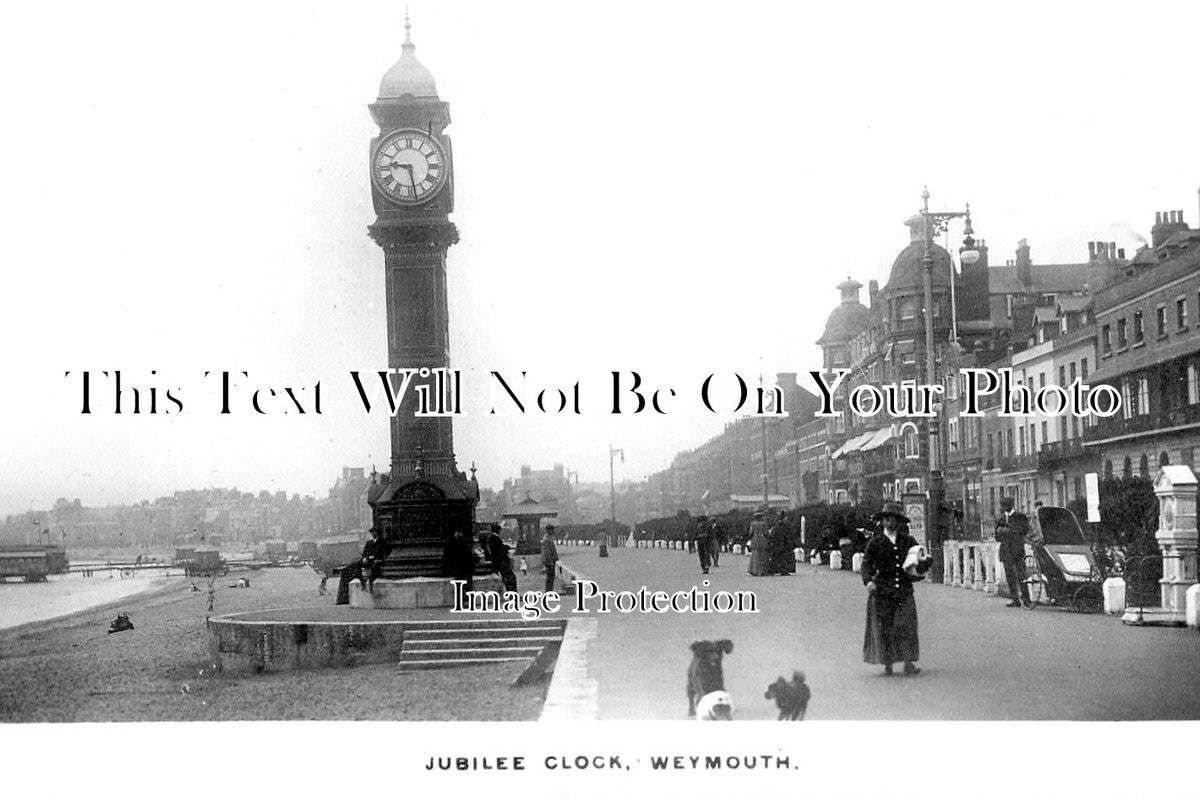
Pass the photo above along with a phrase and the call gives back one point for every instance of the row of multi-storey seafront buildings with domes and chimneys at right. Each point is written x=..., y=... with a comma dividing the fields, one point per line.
x=1130, y=322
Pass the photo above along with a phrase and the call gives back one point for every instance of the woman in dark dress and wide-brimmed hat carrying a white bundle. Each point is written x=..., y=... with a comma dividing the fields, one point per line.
x=892, y=563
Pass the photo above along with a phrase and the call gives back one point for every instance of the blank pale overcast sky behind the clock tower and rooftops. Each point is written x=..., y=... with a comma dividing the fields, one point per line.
x=675, y=190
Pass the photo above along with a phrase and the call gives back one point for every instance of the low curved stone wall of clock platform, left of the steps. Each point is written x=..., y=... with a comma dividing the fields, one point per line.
x=257, y=646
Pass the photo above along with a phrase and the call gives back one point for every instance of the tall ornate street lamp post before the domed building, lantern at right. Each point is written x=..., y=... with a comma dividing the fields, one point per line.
x=932, y=225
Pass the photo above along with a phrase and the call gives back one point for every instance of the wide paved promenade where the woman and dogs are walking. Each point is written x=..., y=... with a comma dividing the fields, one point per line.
x=980, y=659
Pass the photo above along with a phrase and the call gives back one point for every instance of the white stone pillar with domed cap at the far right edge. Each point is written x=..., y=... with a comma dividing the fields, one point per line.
x=1178, y=539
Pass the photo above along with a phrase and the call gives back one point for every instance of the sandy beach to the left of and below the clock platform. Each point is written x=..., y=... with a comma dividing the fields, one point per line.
x=70, y=670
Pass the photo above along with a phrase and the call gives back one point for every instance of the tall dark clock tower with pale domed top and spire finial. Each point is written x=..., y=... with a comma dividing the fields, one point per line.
x=425, y=498
